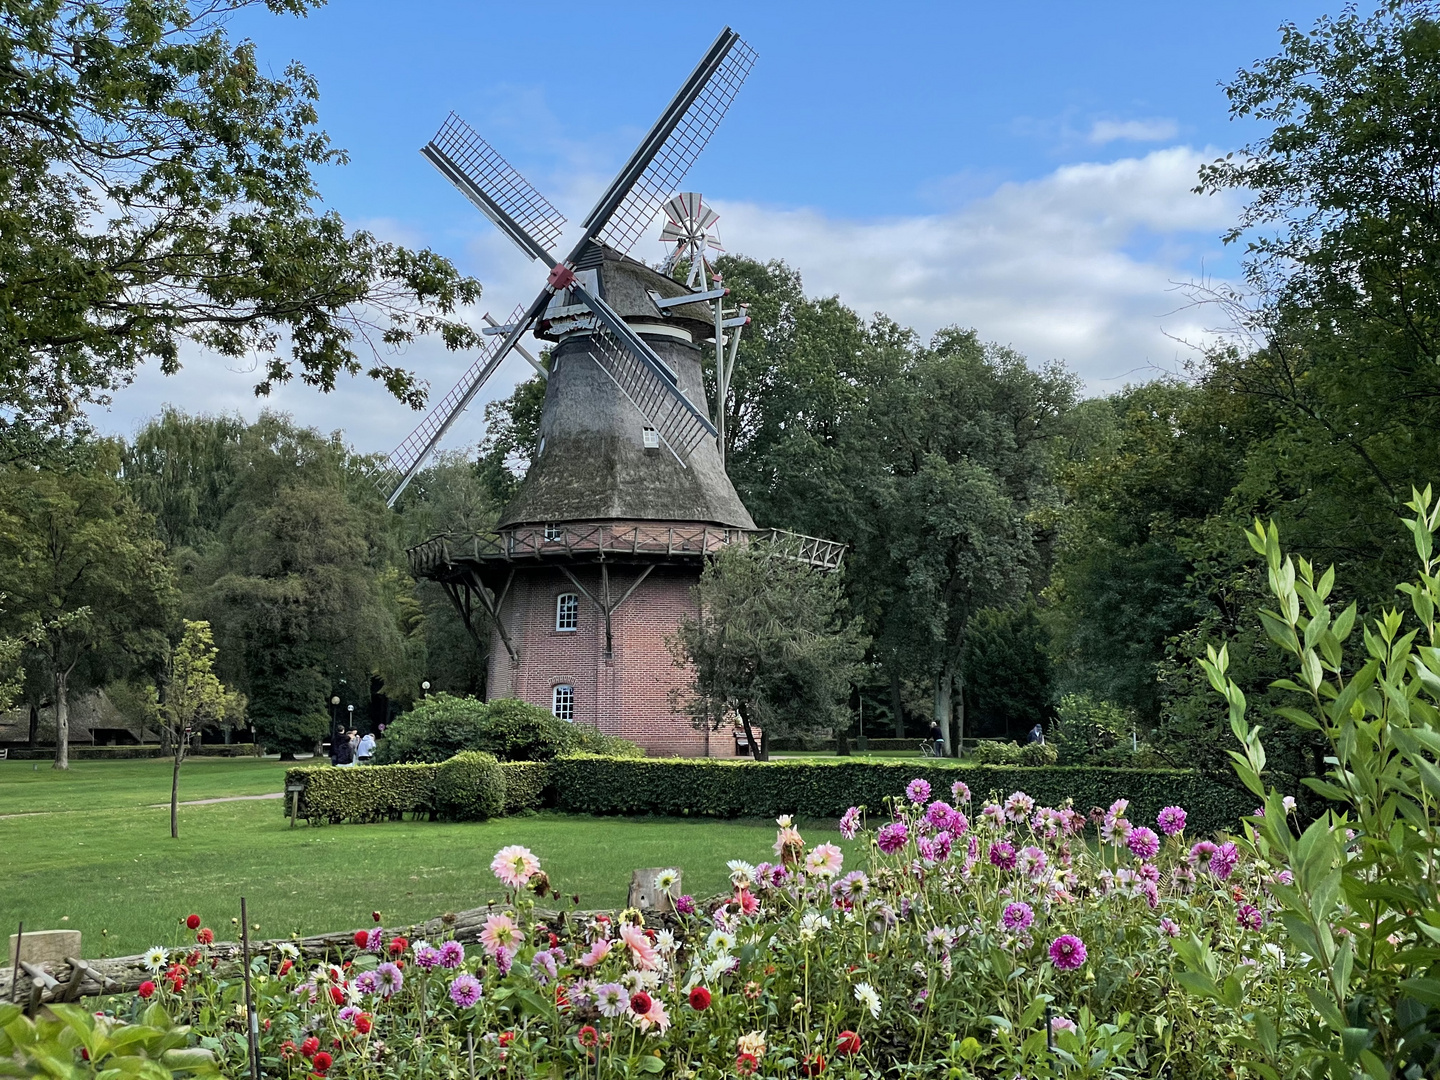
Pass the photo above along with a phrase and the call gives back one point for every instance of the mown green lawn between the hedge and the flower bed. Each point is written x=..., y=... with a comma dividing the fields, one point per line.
x=106, y=865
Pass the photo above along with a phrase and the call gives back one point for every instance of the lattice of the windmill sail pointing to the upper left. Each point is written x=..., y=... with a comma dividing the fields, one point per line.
x=498, y=182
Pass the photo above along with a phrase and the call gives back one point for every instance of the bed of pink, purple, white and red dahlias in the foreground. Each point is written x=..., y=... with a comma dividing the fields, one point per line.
x=971, y=941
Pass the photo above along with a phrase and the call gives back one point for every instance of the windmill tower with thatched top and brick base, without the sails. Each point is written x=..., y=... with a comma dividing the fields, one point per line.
x=594, y=562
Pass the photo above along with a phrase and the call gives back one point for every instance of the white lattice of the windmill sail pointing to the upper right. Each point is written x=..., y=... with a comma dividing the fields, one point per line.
x=667, y=168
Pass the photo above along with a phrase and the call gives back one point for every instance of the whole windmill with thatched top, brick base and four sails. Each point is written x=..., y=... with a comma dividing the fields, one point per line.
x=593, y=564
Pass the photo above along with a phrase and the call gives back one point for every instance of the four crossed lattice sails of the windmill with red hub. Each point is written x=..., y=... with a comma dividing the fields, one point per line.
x=621, y=215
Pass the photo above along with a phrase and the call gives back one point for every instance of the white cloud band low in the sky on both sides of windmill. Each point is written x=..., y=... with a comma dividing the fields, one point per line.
x=1076, y=266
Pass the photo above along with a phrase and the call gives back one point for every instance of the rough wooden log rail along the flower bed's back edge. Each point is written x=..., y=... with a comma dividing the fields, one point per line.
x=38, y=986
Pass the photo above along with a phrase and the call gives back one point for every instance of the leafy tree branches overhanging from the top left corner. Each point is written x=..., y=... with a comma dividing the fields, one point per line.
x=161, y=189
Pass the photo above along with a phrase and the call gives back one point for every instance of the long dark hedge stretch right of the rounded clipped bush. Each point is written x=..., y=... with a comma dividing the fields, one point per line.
x=824, y=788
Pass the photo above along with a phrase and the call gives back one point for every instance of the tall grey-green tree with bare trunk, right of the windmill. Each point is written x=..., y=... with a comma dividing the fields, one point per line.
x=958, y=496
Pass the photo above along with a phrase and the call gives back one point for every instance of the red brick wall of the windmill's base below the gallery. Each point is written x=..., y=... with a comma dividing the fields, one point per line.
x=627, y=693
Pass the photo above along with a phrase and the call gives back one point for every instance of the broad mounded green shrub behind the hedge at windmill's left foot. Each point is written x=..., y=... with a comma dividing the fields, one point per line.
x=513, y=731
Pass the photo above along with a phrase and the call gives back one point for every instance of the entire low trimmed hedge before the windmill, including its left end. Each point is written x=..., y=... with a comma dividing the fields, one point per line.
x=676, y=787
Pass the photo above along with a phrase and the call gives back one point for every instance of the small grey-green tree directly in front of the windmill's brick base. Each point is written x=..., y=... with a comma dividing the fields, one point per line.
x=773, y=642
